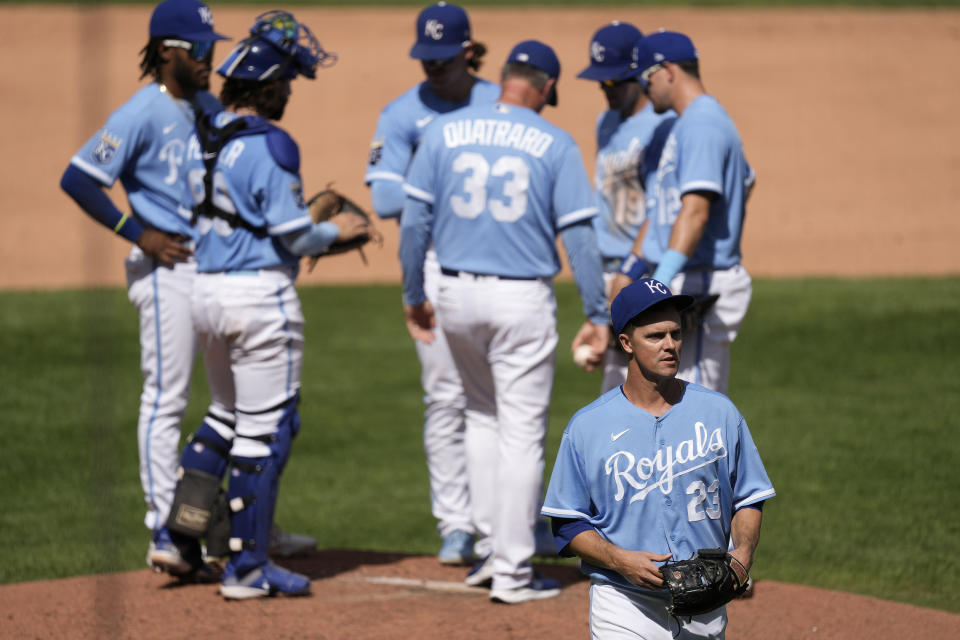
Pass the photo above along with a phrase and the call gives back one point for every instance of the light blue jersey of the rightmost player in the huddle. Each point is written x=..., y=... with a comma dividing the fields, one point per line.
x=702, y=153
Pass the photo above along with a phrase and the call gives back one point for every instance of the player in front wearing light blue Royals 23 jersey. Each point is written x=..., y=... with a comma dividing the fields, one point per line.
x=650, y=471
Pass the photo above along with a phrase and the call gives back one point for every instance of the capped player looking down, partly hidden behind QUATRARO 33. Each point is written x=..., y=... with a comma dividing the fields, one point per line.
x=450, y=59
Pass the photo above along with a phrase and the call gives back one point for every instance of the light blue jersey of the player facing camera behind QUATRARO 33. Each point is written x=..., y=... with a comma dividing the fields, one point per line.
x=402, y=123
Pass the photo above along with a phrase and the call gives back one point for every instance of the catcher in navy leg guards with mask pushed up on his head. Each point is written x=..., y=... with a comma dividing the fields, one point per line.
x=252, y=226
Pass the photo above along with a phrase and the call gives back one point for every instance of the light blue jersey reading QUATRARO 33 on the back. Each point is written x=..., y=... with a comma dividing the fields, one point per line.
x=501, y=182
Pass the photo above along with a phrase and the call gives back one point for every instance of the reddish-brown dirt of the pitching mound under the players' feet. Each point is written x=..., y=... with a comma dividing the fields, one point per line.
x=360, y=595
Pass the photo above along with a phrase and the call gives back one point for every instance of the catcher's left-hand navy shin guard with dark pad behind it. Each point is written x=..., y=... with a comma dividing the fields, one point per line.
x=196, y=500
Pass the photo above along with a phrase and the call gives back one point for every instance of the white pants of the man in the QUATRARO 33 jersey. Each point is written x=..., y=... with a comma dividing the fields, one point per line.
x=503, y=337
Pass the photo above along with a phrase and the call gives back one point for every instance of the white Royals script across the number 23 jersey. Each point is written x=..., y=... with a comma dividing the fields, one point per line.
x=636, y=476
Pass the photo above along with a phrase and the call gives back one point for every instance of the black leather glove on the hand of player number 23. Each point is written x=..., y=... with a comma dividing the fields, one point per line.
x=703, y=583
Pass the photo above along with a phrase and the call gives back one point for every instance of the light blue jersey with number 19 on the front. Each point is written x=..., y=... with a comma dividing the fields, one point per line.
x=619, y=177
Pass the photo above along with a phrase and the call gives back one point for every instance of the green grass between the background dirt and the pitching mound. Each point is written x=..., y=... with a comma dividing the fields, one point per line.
x=849, y=387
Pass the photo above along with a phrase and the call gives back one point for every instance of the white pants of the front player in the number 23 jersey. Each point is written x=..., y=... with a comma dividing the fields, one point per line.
x=619, y=614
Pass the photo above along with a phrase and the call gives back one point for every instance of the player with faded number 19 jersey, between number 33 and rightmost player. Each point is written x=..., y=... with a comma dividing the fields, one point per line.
x=628, y=133
